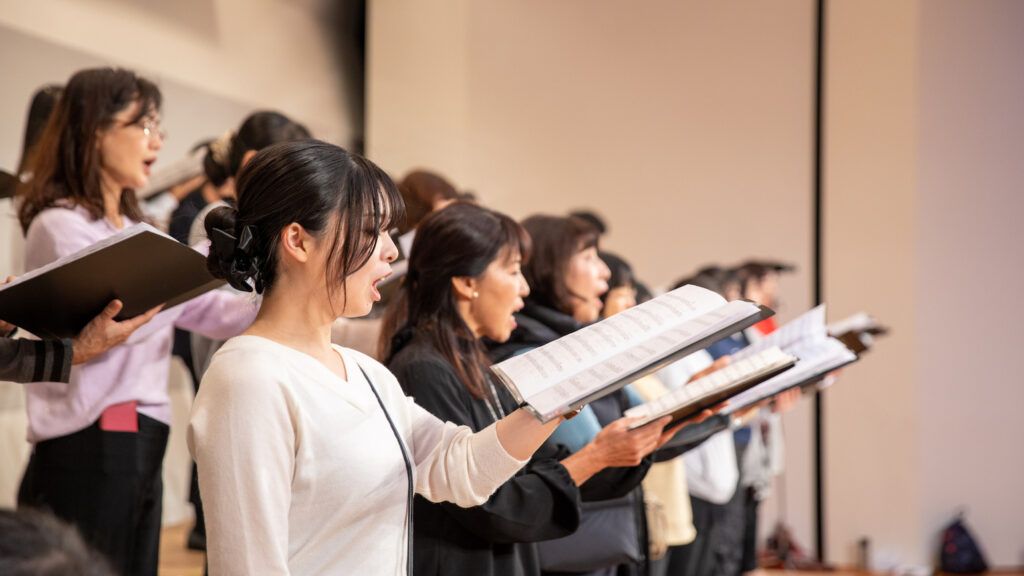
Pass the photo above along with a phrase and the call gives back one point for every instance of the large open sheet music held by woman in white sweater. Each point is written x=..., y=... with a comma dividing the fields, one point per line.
x=600, y=359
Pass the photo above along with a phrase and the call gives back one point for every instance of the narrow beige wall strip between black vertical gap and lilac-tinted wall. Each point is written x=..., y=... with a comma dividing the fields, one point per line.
x=872, y=416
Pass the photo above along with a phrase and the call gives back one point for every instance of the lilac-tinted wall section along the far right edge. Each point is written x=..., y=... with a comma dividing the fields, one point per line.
x=970, y=273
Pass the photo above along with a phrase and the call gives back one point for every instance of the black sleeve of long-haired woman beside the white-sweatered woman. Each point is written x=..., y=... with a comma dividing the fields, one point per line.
x=539, y=504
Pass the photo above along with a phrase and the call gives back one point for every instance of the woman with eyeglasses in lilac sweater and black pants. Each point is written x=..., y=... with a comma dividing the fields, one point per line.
x=100, y=439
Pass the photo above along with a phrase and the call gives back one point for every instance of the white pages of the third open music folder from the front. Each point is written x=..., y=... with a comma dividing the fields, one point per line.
x=816, y=358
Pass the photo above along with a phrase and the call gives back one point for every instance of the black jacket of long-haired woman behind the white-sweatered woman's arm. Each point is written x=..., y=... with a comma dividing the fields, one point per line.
x=541, y=503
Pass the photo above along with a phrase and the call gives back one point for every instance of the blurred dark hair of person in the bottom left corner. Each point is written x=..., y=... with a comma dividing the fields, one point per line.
x=36, y=544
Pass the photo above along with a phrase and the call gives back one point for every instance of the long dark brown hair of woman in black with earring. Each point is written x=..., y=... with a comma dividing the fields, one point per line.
x=460, y=240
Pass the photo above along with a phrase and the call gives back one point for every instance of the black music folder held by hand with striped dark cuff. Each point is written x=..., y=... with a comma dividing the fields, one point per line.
x=140, y=266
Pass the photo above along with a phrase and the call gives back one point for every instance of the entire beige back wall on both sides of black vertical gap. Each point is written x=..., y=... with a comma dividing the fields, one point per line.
x=689, y=125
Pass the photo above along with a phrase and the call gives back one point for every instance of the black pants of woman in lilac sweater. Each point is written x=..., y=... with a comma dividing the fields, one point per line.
x=107, y=484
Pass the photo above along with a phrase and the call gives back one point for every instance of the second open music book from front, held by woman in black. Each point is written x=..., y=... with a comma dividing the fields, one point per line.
x=713, y=389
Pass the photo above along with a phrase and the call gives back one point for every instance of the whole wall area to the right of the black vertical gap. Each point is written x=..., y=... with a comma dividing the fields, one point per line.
x=925, y=107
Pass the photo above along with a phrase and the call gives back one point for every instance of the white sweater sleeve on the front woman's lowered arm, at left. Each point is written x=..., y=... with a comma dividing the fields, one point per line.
x=243, y=439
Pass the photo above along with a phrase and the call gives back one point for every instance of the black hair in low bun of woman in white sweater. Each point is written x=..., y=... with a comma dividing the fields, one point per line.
x=319, y=186
